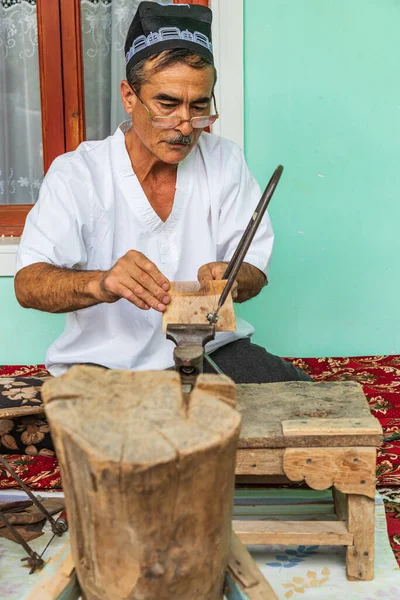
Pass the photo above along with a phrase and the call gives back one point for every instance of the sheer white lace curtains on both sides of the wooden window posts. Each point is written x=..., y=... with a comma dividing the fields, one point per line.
x=104, y=27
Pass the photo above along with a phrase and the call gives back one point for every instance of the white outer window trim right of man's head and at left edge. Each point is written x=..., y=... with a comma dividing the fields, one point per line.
x=228, y=54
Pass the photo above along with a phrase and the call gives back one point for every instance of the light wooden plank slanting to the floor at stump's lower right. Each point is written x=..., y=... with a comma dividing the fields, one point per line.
x=246, y=574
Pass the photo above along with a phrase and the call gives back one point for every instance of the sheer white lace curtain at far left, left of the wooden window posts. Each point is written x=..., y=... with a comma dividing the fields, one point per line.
x=21, y=156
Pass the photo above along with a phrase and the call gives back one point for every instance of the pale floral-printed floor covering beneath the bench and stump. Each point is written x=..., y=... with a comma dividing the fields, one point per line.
x=294, y=572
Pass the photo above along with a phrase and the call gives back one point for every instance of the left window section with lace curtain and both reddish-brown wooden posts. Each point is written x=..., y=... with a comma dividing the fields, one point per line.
x=41, y=113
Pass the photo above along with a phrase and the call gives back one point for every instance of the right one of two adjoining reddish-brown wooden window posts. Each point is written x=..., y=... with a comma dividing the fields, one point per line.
x=74, y=105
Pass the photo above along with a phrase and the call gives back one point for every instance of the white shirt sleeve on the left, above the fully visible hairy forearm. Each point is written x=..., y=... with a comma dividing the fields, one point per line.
x=55, y=228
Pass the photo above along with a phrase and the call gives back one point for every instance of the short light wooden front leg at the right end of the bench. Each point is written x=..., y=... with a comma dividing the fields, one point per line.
x=360, y=521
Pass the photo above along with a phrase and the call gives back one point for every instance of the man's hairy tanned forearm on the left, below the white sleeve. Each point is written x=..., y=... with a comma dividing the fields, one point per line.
x=53, y=289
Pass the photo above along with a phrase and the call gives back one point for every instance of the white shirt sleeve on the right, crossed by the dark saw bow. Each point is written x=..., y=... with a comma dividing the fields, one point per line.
x=241, y=195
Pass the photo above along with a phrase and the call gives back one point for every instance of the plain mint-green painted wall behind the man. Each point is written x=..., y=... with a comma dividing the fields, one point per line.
x=322, y=97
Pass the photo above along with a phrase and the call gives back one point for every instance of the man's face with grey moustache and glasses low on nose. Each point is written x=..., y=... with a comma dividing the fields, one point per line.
x=178, y=90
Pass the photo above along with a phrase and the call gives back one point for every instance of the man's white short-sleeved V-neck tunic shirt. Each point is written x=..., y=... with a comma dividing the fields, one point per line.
x=92, y=210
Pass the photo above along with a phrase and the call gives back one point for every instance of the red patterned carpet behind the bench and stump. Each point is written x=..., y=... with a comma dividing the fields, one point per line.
x=380, y=378
